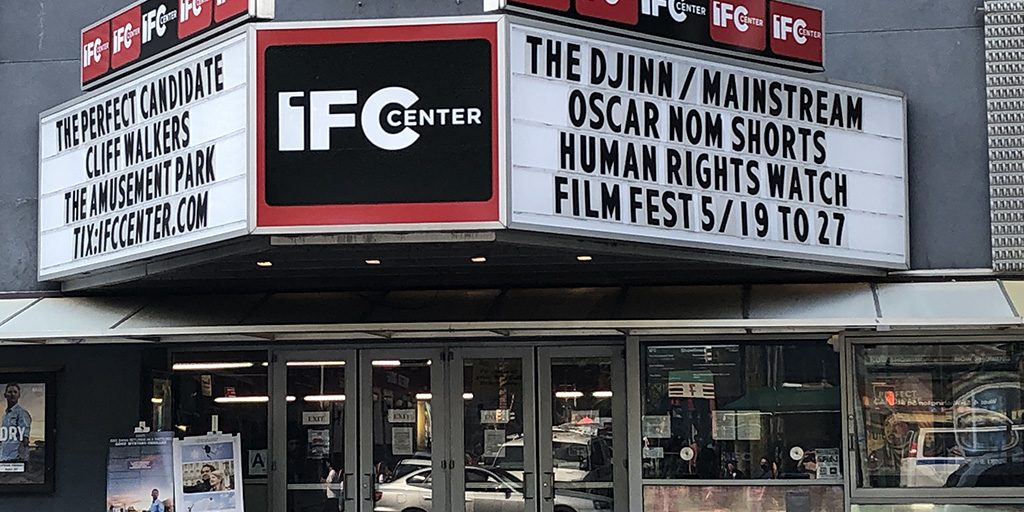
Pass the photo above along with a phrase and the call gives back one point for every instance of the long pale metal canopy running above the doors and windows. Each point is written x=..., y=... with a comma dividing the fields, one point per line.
x=518, y=313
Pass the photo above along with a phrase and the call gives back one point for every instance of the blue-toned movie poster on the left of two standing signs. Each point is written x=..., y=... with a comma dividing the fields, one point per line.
x=141, y=474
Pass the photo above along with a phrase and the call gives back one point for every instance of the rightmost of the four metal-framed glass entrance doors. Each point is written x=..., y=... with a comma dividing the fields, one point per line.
x=581, y=426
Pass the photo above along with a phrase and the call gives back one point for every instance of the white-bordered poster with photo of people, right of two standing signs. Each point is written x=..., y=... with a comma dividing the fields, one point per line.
x=209, y=474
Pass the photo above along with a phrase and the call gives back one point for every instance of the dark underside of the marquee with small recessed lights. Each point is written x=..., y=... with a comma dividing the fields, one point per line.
x=513, y=262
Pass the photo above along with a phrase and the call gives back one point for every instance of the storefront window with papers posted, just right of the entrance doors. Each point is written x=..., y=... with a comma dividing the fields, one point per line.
x=742, y=412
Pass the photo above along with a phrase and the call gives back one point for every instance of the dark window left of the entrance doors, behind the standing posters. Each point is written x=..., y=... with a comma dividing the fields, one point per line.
x=227, y=389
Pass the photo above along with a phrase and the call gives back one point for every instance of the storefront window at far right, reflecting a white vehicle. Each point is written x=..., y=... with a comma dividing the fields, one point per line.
x=941, y=415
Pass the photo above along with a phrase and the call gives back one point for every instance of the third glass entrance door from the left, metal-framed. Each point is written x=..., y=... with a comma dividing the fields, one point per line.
x=494, y=431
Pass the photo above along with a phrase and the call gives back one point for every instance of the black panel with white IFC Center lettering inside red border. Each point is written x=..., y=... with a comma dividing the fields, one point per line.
x=376, y=123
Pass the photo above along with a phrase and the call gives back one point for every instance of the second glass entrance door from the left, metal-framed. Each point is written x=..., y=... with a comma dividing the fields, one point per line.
x=403, y=465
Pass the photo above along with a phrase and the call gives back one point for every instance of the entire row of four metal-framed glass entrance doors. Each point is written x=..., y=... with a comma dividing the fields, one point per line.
x=449, y=430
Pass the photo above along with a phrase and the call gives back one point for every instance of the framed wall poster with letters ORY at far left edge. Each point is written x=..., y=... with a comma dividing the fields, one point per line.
x=23, y=434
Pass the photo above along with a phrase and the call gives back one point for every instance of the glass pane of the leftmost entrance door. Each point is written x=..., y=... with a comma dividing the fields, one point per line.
x=320, y=459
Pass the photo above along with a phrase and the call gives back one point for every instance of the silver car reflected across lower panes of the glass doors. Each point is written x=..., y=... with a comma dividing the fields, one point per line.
x=488, y=490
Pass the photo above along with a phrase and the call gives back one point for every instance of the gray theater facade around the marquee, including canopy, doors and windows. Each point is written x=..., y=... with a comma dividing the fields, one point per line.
x=868, y=371
